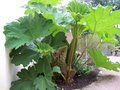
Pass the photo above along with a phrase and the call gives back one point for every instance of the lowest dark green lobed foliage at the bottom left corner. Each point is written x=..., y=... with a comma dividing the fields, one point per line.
x=38, y=77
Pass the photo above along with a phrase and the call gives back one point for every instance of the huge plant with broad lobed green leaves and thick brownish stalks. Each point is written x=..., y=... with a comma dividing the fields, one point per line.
x=39, y=37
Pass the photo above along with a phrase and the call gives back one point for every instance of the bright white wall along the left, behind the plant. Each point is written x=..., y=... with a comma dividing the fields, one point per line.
x=9, y=10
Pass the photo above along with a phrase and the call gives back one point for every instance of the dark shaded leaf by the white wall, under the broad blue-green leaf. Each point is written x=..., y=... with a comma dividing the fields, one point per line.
x=24, y=56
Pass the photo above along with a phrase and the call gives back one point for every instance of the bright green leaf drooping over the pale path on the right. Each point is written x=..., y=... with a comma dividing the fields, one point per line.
x=102, y=61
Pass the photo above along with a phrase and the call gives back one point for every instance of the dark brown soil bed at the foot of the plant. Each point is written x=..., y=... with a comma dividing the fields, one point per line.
x=80, y=81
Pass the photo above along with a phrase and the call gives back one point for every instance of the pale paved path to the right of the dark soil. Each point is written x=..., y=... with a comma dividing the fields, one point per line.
x=107, y=80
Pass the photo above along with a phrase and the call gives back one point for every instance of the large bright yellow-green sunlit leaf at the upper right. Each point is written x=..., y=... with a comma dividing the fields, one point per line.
x=102, y=20
